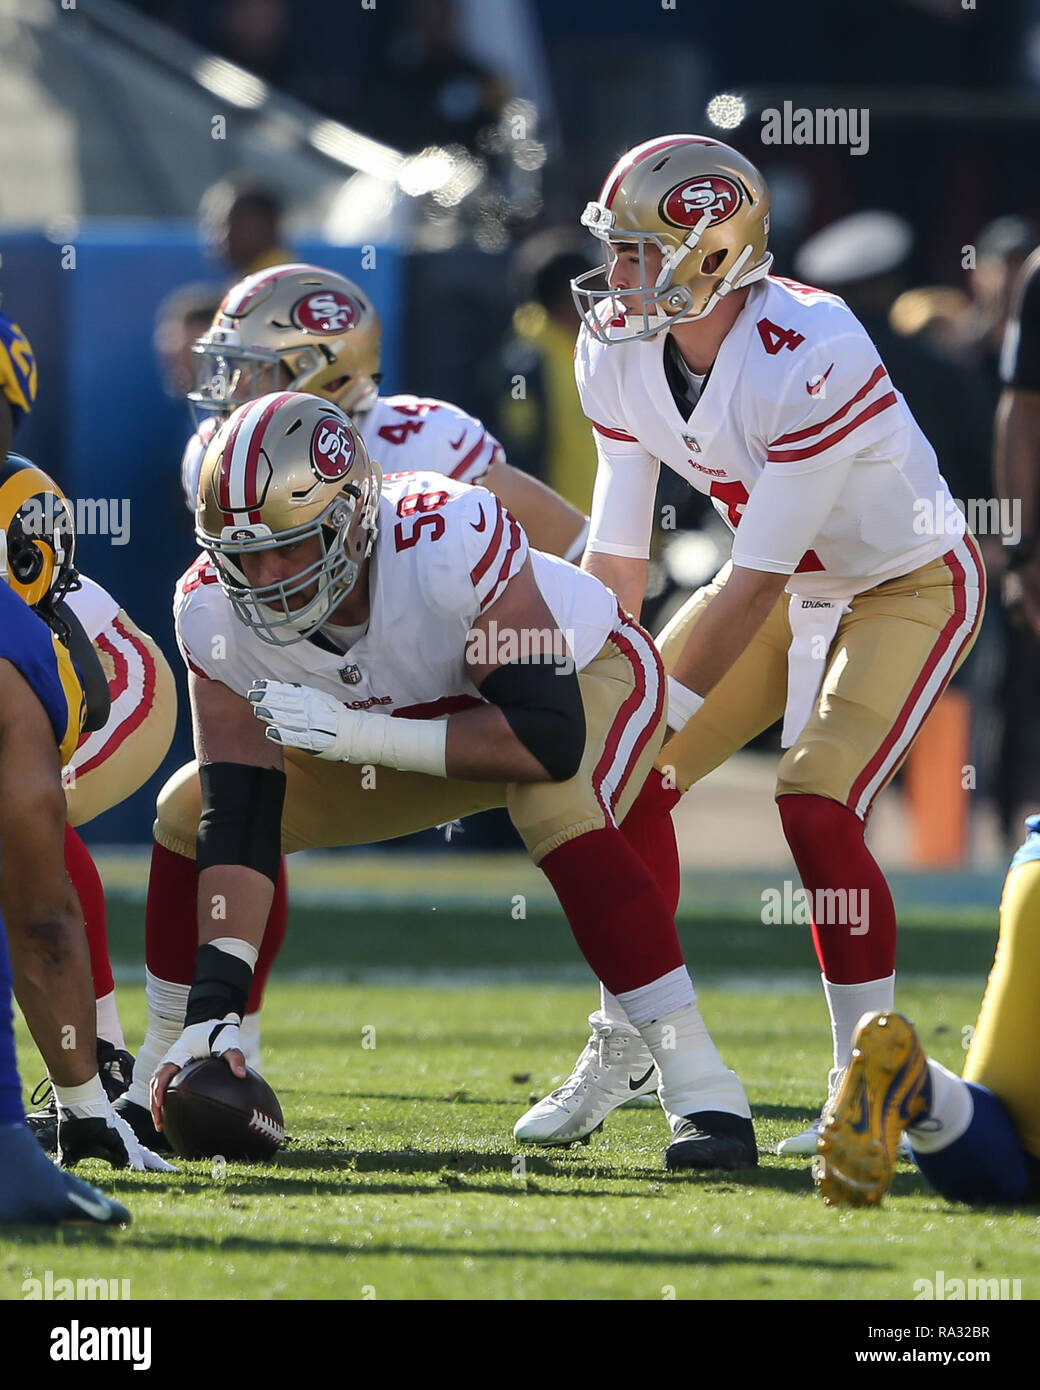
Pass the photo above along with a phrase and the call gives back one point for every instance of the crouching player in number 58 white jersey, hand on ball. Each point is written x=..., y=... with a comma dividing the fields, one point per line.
x=369, y=661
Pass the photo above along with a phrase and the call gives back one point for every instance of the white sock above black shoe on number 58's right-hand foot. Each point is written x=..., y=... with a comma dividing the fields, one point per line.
x=693, y=1075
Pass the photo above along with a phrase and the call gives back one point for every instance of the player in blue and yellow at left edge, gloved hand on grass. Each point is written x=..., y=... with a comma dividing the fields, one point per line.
x=54, y=687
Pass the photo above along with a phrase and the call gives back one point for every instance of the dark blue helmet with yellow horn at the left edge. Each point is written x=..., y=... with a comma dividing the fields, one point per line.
x=37, y=537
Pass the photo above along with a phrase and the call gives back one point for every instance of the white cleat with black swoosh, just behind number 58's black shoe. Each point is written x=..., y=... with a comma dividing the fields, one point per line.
x=614, y=1070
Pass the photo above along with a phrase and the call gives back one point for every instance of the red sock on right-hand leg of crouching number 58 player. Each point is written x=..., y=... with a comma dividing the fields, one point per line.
x=617, y=913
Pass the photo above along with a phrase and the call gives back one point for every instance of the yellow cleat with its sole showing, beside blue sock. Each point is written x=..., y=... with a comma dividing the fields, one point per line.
x=885, y=1090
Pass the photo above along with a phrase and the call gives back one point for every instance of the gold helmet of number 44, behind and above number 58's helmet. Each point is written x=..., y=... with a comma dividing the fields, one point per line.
x=290, y=329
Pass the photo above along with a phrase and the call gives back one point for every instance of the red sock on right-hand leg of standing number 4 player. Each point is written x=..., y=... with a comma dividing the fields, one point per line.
x=827, y=840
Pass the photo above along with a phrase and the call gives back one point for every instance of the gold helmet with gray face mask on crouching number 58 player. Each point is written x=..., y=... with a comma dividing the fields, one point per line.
x=280, y=471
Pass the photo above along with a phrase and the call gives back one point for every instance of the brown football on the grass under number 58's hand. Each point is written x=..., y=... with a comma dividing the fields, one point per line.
x=208, y=1111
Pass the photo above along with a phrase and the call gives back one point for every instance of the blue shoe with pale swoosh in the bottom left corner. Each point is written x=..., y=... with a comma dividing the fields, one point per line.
x=35, y=1192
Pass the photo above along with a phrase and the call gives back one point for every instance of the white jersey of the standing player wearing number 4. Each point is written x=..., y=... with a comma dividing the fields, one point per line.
x=797, y=395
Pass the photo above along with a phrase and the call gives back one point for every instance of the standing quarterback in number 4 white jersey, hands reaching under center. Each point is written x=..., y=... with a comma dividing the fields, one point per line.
x=854, y=590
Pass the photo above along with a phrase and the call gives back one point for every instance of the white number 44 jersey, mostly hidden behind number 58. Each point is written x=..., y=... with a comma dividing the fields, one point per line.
x=401, y=434
